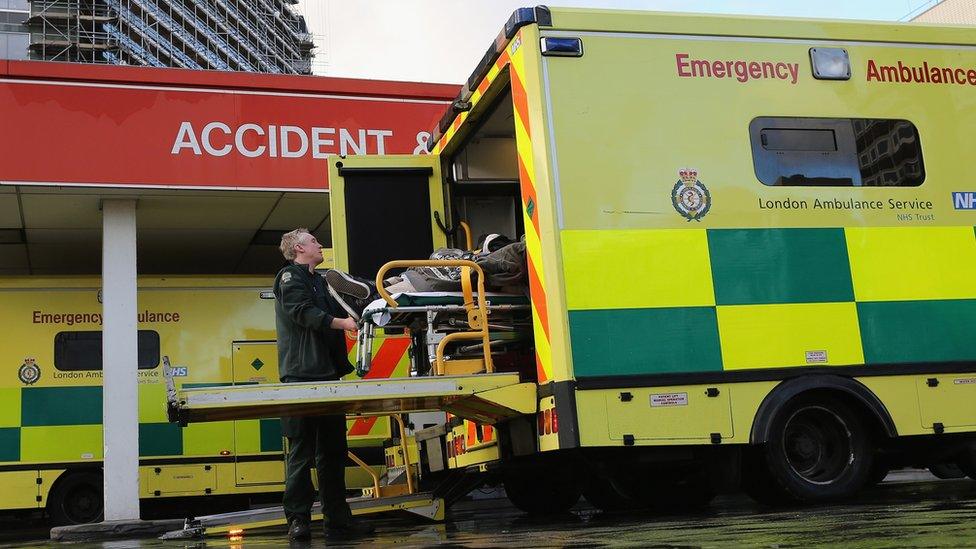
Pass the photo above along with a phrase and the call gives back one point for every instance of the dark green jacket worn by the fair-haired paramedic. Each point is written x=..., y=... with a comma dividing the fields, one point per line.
x=308, y=349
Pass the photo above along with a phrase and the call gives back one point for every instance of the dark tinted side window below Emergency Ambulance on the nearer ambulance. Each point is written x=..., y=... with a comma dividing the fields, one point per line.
x=836, y=152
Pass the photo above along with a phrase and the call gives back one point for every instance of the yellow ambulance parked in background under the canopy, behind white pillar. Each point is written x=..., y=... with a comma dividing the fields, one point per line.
x=214, y=331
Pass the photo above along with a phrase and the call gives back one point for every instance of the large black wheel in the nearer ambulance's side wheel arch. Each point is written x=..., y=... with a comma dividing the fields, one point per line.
x=819, y=449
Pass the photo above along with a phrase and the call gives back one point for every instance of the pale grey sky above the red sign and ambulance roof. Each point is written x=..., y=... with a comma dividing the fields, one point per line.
x=442, y=40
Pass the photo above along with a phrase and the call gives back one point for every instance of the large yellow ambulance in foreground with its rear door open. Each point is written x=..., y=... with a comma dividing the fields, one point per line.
x=751, y=250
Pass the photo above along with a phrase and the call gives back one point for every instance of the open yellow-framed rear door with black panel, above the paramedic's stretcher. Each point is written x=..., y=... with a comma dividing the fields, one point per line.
x=383, y=208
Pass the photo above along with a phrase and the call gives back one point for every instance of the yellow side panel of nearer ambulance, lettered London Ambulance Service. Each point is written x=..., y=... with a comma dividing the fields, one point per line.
x=757, y=281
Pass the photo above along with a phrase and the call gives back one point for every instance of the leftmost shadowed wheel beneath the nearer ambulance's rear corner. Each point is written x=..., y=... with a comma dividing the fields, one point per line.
x=542, y=491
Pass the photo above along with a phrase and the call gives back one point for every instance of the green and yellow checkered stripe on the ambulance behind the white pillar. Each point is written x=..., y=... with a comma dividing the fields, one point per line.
x=64, y=424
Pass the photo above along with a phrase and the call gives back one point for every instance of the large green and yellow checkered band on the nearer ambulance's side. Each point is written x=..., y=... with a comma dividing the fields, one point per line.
x=710, y=300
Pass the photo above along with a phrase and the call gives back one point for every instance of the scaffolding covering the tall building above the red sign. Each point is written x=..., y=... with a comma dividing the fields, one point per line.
x=228, y=35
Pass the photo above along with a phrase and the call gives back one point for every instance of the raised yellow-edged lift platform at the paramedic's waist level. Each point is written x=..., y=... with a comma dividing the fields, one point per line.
x=486, y=398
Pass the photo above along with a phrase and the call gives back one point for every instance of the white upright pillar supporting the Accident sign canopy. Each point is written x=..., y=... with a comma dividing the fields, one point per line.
x=120, y=358
